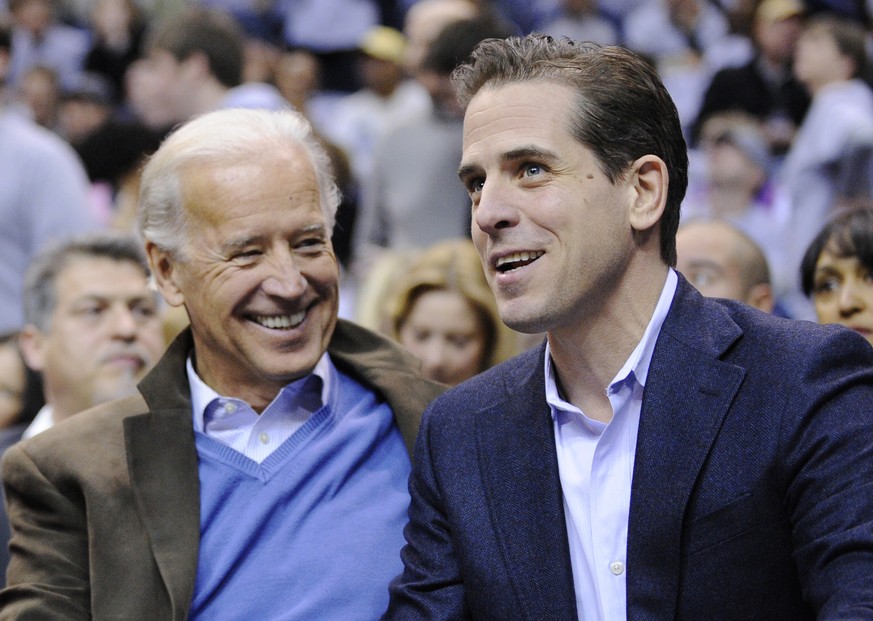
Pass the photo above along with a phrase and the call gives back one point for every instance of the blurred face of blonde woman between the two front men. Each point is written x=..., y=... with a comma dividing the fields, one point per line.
x=444, y=331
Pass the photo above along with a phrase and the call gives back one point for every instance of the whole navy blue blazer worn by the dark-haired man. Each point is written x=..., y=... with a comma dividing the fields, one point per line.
x=752, y=492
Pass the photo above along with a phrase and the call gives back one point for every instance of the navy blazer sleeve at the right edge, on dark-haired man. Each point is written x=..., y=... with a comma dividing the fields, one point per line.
x=827, y=442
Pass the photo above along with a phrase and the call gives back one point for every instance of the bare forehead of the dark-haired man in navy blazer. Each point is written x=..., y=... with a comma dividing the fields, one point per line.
x=504, y=117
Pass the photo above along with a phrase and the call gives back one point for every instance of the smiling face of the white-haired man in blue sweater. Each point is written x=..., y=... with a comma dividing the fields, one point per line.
x=260, y=277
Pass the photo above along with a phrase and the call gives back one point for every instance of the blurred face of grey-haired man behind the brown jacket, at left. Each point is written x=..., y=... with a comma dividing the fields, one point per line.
x=105, y=334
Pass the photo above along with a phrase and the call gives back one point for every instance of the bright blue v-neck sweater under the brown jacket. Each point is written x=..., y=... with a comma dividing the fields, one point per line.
x=315, y=530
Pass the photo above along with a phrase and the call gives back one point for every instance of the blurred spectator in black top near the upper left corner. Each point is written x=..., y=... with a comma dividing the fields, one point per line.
x=118, y=29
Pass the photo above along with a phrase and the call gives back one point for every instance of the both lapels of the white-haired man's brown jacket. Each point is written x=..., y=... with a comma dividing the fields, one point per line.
x=162, y=458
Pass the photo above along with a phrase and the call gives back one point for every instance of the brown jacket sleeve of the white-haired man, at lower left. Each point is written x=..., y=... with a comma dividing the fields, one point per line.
x=48, y=571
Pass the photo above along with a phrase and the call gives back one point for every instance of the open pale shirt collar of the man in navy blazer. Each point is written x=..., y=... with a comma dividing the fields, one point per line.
x=637, y=364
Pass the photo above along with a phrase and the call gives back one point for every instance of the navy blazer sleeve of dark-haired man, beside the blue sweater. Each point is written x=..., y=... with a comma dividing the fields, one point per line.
x=430, y=586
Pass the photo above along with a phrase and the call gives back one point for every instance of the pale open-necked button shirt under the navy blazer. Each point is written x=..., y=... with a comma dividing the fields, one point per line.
x=596, y=463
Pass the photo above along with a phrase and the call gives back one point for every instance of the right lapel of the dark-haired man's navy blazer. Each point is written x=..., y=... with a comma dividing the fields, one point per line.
x=687, y=395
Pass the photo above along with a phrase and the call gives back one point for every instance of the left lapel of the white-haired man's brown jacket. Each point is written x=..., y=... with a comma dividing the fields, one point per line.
x=162, y=462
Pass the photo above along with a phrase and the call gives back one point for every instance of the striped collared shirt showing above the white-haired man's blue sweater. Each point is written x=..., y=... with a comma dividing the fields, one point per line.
x=233, y=422
